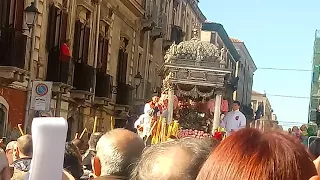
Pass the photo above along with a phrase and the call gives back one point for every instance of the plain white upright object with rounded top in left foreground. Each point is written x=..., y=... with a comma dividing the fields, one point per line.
x=48, y=136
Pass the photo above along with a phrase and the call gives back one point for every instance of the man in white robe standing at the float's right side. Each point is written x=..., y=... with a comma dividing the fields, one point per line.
x=234, y=120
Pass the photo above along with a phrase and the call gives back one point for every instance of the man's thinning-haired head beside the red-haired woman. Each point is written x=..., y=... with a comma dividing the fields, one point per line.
x=174, y=160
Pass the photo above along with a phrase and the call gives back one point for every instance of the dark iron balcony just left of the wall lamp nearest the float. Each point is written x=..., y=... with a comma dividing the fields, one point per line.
x=124, y=94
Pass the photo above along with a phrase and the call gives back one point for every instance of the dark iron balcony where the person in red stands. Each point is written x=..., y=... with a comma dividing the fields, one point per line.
x=59, y=72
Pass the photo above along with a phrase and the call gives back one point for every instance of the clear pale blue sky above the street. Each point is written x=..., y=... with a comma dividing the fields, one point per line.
x=278, y=34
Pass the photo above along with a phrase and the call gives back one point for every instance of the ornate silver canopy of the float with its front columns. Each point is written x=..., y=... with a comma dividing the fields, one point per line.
x=195, y=68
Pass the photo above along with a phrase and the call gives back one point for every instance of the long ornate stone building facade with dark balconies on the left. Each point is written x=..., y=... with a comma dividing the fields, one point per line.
x=110, y=42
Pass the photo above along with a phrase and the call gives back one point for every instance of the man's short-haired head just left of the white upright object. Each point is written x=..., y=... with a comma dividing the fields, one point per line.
x=24, y=146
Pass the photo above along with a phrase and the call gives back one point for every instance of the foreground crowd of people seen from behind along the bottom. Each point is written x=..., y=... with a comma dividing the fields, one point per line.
x=247, y=154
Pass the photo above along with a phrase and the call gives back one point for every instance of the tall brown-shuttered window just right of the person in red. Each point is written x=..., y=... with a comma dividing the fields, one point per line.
x=81, y=42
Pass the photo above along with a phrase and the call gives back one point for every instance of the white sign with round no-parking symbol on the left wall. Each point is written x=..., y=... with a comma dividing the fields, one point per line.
x=41, y=95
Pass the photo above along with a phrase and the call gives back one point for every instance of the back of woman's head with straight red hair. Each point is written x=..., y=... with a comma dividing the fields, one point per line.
x=250, y=154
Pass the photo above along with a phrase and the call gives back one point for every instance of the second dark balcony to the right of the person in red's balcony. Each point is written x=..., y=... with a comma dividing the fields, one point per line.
x=104, y=83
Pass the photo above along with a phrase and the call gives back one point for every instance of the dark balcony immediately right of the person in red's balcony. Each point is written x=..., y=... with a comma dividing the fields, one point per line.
x=83, y=81
